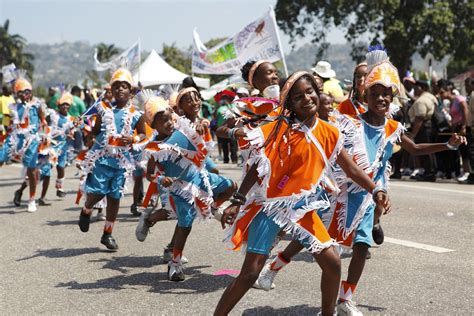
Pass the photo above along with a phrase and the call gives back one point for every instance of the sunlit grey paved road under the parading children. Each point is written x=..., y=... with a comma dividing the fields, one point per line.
x=48, y=266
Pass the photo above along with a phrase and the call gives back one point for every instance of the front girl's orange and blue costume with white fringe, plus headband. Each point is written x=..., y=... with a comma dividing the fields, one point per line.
x=292, y=162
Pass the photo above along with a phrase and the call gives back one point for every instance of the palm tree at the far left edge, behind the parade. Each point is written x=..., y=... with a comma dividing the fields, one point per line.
x=12, y=50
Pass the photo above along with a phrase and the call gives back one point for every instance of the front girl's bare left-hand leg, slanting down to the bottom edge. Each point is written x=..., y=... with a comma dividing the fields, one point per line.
x=251, y=268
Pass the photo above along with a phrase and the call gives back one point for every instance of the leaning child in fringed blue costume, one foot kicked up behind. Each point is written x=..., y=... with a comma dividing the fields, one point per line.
x=179, y=153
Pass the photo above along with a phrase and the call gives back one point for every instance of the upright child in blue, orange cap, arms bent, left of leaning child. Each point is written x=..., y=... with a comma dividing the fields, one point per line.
x=109, y=163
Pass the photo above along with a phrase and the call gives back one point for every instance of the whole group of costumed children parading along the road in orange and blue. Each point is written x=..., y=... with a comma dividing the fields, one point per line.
x=317, y=174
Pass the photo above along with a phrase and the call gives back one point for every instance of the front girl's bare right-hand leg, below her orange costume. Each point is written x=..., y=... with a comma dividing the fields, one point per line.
x=330, y=264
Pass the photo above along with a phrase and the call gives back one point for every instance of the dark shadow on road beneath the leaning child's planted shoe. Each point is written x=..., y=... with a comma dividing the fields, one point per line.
x=196, y=282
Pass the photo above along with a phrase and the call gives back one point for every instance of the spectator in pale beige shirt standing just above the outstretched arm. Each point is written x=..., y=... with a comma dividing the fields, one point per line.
x=420, y=115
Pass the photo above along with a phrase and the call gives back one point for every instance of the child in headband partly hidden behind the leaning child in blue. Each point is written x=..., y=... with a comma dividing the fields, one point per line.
x=189, y=103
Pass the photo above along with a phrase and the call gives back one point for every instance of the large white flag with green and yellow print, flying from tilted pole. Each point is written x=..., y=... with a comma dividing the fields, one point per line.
x=258, y=40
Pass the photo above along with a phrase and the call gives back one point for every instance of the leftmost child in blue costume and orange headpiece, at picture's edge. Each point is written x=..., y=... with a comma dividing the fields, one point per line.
x=23, y=142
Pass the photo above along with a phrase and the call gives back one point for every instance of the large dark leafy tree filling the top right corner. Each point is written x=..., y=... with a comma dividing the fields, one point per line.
x=402, y=26
